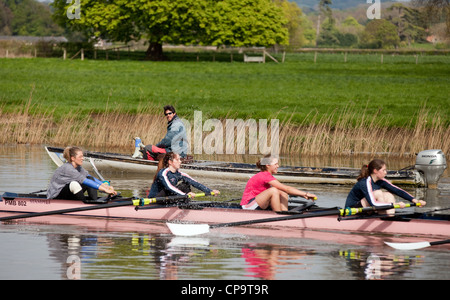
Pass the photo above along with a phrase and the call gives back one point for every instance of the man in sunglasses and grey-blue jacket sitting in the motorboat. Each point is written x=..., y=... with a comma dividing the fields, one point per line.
x=175, y=139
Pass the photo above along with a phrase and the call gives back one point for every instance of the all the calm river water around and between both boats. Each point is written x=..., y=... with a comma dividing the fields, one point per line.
x=81, y=248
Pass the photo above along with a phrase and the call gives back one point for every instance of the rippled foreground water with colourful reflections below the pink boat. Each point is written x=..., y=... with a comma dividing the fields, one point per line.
x=81, y=254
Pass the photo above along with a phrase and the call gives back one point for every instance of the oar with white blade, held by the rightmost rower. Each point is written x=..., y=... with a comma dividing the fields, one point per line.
x=197, y=229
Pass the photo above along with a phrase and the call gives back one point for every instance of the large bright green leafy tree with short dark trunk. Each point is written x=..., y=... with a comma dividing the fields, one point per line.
x=204, y=22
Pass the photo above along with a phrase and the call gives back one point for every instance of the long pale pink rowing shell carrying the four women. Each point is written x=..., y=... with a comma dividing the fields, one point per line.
x=213, y=212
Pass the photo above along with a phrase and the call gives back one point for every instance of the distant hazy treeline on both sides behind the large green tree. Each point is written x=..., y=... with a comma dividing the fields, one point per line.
x=401, y=24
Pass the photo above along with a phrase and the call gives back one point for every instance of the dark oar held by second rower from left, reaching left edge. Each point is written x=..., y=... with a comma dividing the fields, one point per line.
x=124, y=202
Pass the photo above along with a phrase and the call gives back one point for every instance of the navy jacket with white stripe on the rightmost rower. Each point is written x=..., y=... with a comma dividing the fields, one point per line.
x=365, y=187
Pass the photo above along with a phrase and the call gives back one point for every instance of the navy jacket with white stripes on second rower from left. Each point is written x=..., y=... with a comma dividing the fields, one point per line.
x=168, y=182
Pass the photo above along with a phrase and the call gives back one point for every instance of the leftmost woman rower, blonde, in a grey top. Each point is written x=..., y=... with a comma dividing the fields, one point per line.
x=71, y=180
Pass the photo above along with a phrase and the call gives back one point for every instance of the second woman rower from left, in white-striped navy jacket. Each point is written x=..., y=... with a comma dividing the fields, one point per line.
x=169, y=181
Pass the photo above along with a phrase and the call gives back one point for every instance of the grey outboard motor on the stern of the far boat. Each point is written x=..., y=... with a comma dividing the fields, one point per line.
x=432, y=164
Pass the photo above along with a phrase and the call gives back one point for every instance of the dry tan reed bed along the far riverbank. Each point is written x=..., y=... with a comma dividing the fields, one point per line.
x=323, y=136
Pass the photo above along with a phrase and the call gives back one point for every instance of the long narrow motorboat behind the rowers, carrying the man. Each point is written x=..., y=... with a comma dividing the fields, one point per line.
x=111, y=162
